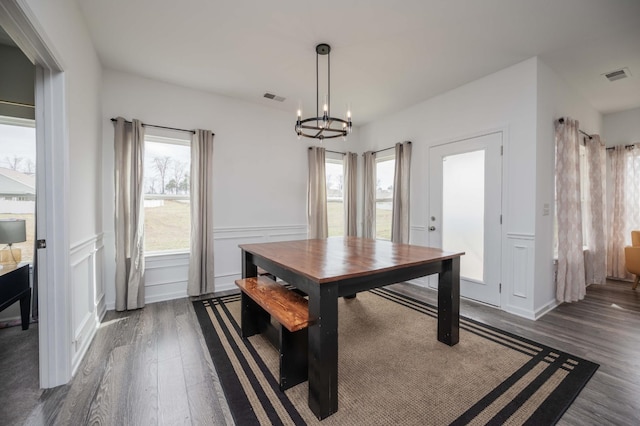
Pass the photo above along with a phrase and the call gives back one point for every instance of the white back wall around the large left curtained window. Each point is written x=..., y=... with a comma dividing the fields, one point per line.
x=260, y=173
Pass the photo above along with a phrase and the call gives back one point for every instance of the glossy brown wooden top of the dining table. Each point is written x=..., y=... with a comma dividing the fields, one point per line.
x=337, y=258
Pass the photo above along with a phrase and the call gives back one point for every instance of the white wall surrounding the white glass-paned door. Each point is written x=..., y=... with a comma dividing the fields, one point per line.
x=505, y=100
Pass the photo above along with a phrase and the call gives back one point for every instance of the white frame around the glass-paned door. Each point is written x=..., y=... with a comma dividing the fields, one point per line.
x=504, y=129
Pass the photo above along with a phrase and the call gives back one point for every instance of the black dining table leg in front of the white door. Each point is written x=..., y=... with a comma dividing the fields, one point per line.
x=449, y=302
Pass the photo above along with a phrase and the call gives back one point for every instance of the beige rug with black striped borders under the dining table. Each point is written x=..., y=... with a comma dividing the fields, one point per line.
x=393, y=371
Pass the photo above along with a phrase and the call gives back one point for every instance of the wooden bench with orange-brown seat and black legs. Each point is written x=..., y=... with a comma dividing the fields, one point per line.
x=263, y=299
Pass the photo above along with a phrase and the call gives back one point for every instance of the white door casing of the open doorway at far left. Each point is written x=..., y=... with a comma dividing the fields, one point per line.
x=54, y=327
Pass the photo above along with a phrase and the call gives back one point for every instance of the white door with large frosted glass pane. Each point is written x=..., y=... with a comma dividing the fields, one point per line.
x=465, y=198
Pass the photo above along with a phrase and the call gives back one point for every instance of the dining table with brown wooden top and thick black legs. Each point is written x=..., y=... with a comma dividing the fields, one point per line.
x=327, y=269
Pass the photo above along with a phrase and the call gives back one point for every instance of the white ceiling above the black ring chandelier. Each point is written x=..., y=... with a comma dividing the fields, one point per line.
x=385, y=55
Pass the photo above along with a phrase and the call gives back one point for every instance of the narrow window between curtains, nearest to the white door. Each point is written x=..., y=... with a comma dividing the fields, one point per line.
x=385, y=168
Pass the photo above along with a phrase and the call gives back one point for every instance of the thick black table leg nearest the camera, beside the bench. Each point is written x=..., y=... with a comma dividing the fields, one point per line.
x=323, y=350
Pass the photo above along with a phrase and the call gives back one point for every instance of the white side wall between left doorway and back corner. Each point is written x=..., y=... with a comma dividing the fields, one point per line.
x=64, y=32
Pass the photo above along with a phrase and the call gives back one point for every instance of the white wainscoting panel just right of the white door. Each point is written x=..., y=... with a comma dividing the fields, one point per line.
x=518, y=282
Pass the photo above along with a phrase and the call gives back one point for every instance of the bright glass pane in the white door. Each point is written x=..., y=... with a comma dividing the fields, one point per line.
x=463, y=210
